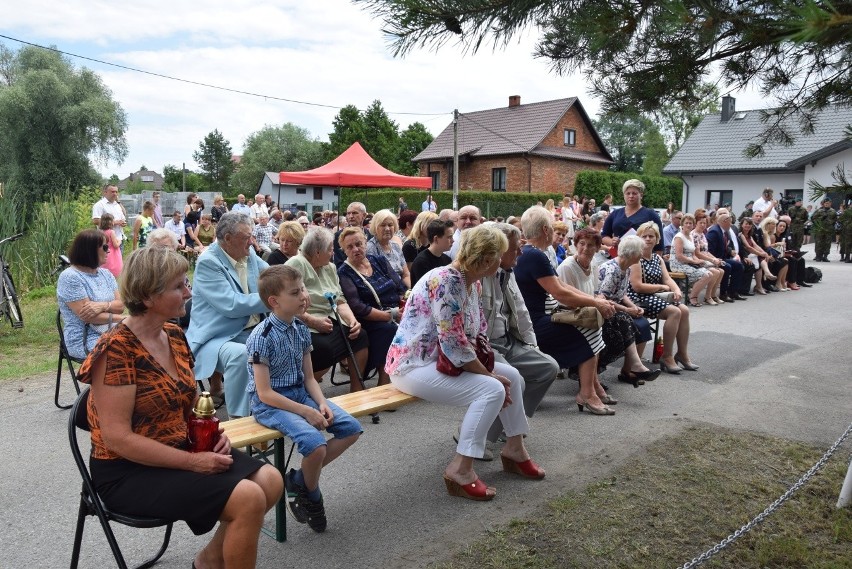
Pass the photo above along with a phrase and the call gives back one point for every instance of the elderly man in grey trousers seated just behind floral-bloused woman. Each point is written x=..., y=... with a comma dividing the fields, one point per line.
x=510, y=330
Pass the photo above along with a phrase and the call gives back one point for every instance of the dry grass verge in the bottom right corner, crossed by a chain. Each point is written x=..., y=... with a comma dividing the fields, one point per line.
x=673, y=502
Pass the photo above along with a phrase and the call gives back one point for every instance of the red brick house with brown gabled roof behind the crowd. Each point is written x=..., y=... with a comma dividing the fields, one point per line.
x=538, y=147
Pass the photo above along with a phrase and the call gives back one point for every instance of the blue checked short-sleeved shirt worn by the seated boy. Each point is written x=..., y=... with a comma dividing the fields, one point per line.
x=281, y=347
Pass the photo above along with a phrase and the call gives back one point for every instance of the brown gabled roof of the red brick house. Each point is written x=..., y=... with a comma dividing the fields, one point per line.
x=512, y=130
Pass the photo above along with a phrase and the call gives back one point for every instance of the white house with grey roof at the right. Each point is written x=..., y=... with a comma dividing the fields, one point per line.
x=714, y=169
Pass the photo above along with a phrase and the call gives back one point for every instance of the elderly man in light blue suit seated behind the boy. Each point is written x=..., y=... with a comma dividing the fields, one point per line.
x=225, y=308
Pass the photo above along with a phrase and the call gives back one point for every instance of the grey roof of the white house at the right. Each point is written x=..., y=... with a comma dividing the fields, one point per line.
x=716, y=146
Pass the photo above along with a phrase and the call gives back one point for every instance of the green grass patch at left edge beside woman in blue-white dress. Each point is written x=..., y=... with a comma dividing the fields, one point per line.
x=33, y=349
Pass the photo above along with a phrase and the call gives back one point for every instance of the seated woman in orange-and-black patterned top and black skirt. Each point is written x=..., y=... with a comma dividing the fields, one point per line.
x=143, y=390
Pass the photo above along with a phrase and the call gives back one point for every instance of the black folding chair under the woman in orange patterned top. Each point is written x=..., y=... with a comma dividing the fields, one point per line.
x=91, y=504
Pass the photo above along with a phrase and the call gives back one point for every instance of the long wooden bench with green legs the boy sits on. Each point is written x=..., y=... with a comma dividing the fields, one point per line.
x=248, y=433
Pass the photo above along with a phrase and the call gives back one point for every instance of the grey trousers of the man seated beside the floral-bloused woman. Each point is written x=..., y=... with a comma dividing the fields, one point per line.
x=537, y=368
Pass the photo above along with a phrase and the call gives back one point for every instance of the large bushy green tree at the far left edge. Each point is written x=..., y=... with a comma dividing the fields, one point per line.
x=53, y=117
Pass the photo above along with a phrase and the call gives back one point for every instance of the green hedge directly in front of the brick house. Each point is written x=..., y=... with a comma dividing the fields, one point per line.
x=491, y=204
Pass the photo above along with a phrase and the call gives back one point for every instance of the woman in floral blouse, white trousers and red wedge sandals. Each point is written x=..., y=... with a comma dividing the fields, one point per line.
x=444, y=318
